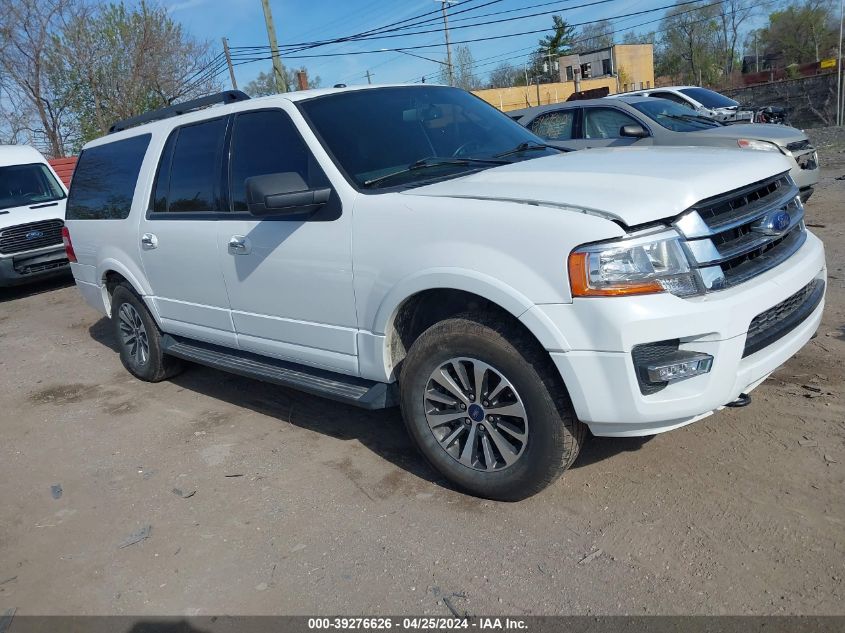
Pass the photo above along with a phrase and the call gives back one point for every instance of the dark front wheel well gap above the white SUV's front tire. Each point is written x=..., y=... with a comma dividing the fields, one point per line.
x=422, y=310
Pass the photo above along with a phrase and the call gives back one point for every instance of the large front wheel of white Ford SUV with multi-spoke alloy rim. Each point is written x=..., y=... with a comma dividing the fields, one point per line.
x=489, y=347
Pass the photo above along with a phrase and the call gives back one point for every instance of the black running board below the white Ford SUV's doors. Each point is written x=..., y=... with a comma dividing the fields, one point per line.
x=347, y=389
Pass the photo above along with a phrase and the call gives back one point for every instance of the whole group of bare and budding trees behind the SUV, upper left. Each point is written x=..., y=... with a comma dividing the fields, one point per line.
x=69, y=69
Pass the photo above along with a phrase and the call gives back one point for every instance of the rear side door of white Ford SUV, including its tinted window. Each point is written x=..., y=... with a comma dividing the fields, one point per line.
x=178, y=236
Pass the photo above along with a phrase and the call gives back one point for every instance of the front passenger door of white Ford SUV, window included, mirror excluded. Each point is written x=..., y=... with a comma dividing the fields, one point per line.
x=289, y=278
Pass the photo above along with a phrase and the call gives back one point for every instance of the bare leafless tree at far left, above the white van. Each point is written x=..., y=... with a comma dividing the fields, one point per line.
x=35, y=107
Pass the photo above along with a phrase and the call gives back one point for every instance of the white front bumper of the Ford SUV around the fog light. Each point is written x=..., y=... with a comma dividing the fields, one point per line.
x=600, y=333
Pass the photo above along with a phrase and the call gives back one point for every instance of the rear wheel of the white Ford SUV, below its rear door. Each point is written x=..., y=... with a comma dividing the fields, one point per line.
x=138, y=338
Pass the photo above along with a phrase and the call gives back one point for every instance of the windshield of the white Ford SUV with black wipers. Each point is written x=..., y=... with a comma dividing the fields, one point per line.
x=379, y=132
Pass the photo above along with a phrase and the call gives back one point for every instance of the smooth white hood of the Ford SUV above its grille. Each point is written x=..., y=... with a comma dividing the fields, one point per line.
x=633, y=185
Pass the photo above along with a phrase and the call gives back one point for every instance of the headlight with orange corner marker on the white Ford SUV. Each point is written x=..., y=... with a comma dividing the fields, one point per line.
x=634, y=266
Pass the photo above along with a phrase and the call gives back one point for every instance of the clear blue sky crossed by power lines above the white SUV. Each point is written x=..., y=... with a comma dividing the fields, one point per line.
x=298, y=21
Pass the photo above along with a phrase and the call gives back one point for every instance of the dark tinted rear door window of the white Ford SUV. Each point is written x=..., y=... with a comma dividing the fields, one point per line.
x=189, y=173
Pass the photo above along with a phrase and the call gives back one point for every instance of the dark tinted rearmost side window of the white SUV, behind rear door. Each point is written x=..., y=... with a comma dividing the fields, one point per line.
x=104, y=181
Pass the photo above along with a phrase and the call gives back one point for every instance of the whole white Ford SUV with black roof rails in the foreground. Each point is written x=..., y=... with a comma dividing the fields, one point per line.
x=413, y=244
